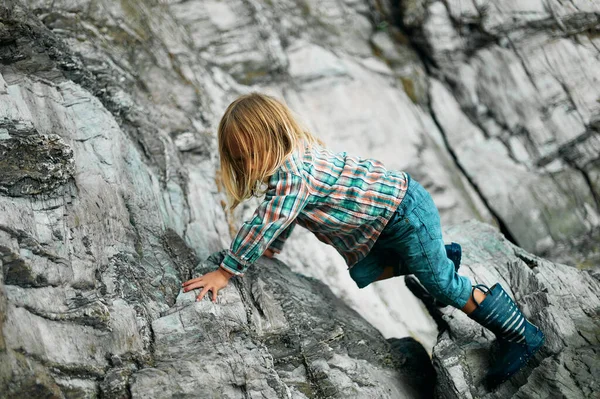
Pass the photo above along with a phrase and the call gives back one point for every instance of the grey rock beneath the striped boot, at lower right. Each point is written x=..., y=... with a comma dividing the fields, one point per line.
x=562, y=301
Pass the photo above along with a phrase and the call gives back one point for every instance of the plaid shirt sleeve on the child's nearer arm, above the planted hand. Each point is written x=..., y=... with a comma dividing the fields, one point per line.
x=282, y=203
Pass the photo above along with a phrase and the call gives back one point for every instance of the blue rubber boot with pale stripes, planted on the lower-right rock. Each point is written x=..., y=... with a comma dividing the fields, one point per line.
x=517, y=339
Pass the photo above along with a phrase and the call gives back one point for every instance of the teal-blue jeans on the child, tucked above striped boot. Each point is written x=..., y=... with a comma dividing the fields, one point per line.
x=412, y=243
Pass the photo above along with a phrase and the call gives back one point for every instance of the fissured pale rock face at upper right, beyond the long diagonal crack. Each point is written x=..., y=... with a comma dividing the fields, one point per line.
x=516, y=97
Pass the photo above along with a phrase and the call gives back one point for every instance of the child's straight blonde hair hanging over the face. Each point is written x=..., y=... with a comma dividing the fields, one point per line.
x=265, y=133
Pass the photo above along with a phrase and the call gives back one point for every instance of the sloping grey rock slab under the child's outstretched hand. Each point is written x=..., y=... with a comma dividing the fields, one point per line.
x=276, y=334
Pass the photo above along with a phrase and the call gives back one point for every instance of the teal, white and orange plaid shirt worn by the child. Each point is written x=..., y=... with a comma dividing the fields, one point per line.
x=346, y=201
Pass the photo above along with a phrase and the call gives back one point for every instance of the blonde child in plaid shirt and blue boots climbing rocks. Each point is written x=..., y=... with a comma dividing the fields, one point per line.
x=377, y=219
